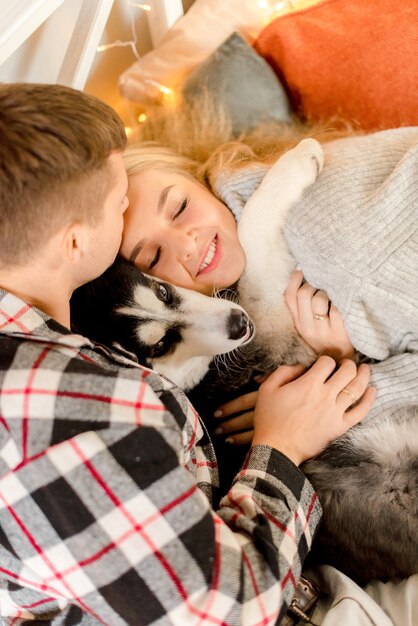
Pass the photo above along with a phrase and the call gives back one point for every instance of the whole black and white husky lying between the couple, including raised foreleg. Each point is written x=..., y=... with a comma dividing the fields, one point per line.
x=367, y=481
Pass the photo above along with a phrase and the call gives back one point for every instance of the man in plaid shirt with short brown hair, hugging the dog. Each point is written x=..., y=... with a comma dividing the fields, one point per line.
x=109, y=509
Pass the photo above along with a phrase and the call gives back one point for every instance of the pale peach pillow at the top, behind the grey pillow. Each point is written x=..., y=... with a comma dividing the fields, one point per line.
x=192, y=39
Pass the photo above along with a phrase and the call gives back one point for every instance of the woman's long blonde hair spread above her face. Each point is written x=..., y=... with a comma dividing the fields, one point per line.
x=196, y=139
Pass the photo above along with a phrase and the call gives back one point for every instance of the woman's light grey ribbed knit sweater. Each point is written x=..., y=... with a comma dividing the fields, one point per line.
x=355, y=235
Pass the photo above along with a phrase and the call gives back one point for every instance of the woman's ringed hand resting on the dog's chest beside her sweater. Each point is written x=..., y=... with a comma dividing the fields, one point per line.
x=316, y=320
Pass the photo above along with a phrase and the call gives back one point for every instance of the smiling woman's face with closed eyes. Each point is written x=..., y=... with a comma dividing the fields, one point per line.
x=175, y=229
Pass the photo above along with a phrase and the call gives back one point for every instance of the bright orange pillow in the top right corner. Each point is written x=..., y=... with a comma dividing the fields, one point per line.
x=353, y=59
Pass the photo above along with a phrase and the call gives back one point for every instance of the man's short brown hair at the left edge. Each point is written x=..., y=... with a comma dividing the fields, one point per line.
x=54, y=146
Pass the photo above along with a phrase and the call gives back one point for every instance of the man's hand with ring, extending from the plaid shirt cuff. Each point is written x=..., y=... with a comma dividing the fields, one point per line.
x=299, y=413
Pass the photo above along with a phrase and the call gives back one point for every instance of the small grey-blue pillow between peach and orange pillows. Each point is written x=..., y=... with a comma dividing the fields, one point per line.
x=242, y=83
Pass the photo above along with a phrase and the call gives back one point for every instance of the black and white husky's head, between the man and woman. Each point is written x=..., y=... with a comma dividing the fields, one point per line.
x=172, y=330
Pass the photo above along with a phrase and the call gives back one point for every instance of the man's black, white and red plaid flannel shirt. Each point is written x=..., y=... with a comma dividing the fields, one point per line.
x=109, y=504
